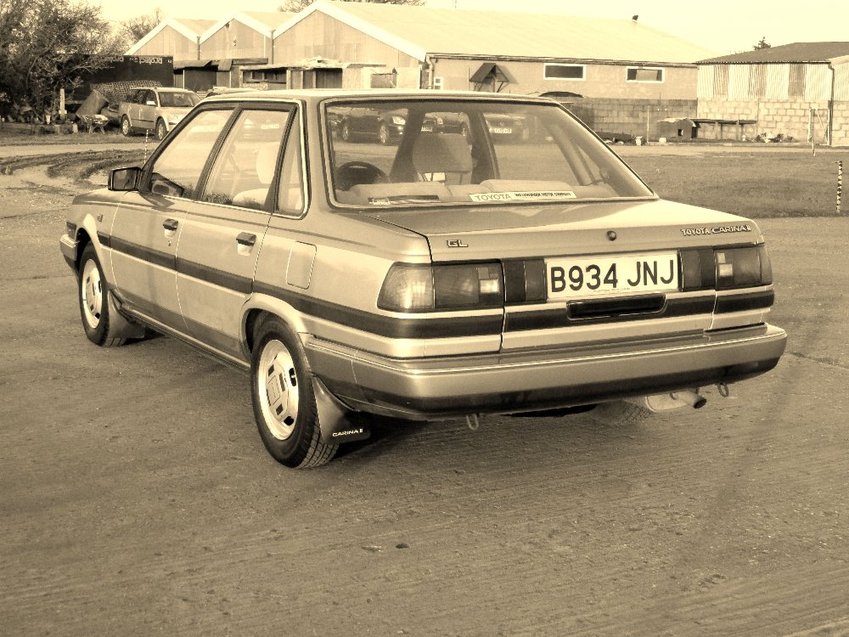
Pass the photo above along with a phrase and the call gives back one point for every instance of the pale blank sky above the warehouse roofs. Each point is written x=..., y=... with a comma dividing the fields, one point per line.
x=724, y=26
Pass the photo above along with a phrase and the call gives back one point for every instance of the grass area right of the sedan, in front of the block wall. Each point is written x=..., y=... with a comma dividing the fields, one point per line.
x=759, y=184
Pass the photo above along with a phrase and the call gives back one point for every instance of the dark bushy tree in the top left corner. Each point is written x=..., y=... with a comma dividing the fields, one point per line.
x=46, y=45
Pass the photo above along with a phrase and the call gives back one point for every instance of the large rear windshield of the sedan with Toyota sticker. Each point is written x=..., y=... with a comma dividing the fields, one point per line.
x=388, y=153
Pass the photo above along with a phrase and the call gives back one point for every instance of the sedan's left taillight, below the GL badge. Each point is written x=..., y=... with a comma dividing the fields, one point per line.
x=422, y=288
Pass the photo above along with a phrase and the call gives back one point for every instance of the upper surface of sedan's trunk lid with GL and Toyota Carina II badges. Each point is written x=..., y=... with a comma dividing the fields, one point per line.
x=509, y=232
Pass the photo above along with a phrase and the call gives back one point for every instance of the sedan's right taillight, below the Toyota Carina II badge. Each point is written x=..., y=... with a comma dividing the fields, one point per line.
x=725, y=268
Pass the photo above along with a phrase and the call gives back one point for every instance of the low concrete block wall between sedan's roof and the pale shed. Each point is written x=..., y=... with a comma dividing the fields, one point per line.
x=635, y=117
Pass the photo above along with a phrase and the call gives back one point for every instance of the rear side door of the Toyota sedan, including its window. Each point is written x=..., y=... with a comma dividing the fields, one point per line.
x=223, y=231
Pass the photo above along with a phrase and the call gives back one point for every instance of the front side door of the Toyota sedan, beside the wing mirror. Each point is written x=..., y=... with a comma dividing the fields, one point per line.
x=148, y=222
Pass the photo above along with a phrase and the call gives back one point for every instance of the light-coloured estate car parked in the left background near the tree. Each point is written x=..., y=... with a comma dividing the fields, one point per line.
x=155, y=109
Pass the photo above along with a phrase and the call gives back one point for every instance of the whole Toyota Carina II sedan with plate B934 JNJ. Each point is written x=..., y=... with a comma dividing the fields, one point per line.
x=454, y=272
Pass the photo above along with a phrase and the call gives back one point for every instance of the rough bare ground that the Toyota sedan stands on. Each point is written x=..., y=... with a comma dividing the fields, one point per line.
x=136, y=497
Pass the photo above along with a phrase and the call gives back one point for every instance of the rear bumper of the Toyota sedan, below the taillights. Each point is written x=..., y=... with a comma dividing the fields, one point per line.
x=532, y=380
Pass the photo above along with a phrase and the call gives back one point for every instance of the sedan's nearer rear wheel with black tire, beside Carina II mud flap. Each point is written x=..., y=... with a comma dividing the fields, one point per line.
x=283, y=398
